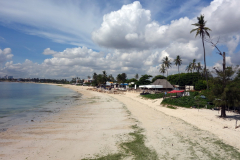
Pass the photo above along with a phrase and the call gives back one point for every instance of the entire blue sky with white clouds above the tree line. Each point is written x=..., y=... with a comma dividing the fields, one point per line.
x=63, y=39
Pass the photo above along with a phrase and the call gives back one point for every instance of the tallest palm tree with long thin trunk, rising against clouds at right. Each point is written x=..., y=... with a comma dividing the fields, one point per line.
x=202, y=31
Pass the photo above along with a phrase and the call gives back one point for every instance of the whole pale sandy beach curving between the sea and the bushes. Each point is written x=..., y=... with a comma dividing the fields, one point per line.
x=100, y=123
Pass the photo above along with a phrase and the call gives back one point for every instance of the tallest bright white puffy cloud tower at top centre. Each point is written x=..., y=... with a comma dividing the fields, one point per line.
x=123, y=28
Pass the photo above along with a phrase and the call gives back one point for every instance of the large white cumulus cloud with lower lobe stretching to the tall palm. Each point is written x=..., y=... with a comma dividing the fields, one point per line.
x=132, y=27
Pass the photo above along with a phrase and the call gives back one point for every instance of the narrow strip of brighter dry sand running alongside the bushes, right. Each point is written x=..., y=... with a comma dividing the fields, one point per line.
x=204, y=119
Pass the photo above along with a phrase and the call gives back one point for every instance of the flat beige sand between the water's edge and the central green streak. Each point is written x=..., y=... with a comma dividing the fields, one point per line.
x=93, y=126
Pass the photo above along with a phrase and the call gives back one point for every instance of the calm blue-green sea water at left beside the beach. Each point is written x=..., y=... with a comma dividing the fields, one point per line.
x=24, y=102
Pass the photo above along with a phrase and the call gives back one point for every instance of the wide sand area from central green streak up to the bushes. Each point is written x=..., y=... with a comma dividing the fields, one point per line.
x=169, y=131
